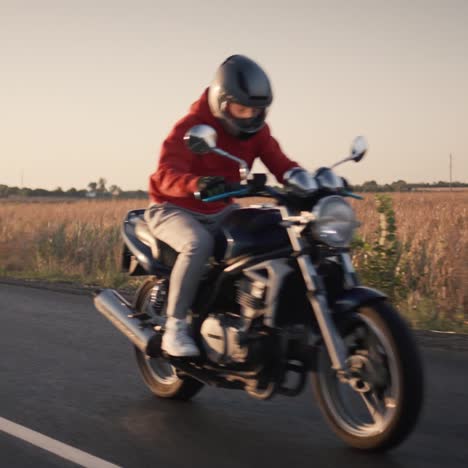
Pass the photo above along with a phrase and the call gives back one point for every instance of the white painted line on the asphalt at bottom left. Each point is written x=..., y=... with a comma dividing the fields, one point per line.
x=51, y=445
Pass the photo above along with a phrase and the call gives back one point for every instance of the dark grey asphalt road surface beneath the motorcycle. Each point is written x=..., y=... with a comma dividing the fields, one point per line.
x=68, y=374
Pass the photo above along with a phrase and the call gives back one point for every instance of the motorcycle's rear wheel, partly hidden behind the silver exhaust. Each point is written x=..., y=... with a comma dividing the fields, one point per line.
x=159, y=375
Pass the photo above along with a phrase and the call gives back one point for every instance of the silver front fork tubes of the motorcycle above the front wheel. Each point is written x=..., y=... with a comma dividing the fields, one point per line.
x=317, y=296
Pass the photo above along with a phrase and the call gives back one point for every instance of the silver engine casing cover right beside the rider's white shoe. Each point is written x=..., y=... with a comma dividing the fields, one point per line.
x=223, y=339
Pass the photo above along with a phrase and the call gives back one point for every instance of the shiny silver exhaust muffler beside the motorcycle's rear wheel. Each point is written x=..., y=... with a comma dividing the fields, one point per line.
x=119, y=312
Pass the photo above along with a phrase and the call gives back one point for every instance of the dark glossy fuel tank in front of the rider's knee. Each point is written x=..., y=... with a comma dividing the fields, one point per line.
x=253, y=231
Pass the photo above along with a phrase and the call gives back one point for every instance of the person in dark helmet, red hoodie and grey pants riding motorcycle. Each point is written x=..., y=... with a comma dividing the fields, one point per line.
x=235, y=105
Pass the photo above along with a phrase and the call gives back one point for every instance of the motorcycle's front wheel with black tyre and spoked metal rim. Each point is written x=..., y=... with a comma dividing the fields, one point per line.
x=379, y=405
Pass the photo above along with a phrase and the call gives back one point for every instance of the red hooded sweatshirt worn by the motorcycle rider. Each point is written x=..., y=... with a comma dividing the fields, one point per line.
x=175, y=179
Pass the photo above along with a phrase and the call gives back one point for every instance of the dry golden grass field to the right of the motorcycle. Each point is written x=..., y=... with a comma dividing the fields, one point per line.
x=432, y=266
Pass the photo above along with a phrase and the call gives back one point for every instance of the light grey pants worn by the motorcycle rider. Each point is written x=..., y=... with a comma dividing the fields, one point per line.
x=191, y=234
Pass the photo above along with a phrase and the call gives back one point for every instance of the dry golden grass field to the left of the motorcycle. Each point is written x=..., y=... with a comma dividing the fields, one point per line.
x=74, y=240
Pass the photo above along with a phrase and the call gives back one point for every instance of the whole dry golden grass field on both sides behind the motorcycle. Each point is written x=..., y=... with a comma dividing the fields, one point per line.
x=80, y=241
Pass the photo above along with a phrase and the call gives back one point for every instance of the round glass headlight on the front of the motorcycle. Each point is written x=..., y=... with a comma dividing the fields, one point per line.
x=335, y=221
